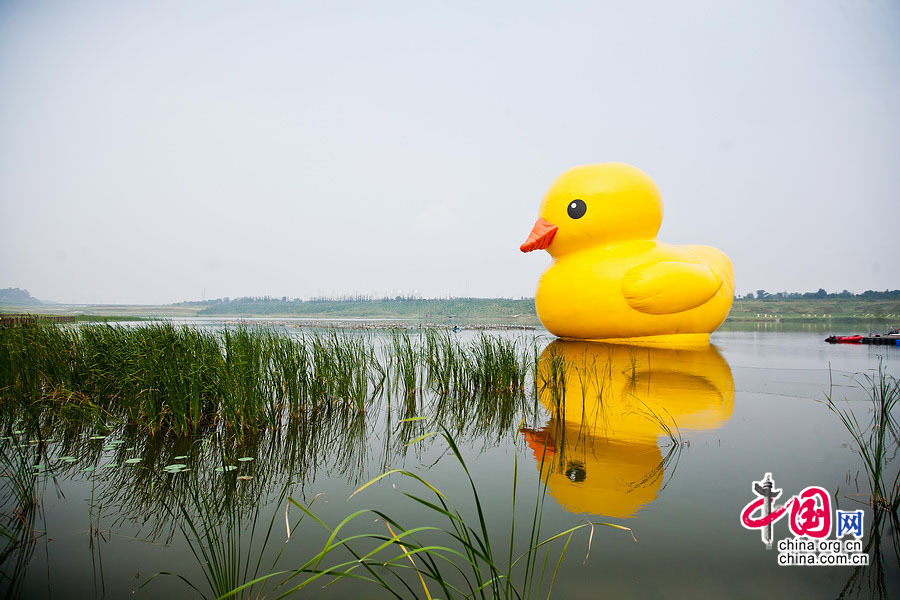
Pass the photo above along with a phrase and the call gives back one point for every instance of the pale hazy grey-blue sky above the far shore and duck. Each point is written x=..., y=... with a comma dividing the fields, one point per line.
x=152, y=152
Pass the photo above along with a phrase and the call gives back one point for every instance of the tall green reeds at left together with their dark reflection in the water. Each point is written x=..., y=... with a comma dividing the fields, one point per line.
x=307, y=399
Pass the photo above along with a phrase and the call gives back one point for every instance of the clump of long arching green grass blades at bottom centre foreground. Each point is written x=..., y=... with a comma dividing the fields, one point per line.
x=460, y=559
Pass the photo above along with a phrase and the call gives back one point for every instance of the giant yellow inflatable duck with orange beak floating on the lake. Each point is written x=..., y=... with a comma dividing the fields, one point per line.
x=610, y=278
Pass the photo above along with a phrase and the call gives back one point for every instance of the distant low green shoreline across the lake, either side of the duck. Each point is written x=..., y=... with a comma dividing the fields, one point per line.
x=813, y=307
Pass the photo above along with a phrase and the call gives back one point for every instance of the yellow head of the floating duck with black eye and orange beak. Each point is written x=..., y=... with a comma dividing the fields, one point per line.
x=596, y=204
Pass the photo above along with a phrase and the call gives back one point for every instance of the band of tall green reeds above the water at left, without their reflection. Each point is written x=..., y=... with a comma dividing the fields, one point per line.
x=189, y=381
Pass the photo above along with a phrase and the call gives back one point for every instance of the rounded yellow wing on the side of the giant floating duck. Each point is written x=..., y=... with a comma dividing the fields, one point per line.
x=669, y=287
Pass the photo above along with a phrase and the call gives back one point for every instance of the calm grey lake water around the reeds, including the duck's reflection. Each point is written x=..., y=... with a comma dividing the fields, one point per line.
x=666, y=442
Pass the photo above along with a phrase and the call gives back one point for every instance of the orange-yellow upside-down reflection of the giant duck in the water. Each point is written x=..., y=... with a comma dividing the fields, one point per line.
x=611, y=407
